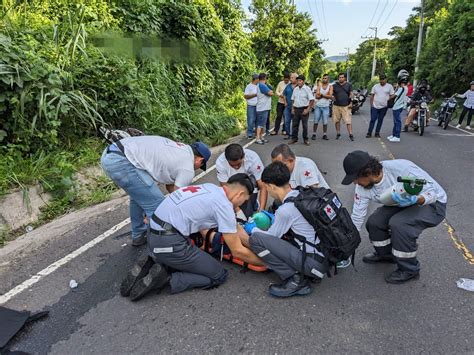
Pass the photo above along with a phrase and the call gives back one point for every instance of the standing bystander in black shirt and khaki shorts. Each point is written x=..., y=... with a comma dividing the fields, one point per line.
x=341, y=110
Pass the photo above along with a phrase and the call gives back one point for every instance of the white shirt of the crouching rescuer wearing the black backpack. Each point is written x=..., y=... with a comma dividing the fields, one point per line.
x=288, y=217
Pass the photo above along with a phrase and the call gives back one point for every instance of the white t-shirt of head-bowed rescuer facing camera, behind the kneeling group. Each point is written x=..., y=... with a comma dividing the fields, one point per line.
x=252, y=165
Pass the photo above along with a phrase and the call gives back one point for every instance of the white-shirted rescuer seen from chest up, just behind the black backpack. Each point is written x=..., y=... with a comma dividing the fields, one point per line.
x=304, y=171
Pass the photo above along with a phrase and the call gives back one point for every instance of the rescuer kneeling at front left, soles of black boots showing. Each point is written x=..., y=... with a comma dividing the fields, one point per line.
x=174, y=259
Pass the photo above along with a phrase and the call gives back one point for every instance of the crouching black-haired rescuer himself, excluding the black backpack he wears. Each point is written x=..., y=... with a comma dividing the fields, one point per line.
x=293, y=261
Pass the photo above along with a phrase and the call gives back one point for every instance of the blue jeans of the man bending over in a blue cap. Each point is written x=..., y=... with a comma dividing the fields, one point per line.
x=145, y=194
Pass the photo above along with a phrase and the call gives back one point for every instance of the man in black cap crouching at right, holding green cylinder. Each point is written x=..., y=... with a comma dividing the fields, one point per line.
x=393, y=228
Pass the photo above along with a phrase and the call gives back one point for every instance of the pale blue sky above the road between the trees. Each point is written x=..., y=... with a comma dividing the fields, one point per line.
x=343, y=22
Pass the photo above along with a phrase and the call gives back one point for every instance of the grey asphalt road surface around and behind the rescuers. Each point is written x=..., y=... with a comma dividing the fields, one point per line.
x=353, y=312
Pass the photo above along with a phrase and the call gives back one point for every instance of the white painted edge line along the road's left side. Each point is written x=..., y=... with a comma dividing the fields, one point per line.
x=57, y=264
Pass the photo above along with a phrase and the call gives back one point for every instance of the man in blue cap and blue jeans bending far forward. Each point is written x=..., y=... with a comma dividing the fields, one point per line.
x=139, y=164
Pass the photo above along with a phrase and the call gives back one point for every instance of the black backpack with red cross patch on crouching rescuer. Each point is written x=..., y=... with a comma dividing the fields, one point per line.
x=339, y=238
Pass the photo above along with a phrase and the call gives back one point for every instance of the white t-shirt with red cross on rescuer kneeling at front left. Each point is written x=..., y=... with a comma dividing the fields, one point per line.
x=193, y=208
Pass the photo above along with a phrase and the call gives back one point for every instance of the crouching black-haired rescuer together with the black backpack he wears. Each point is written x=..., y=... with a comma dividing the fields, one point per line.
x=293, y=246
